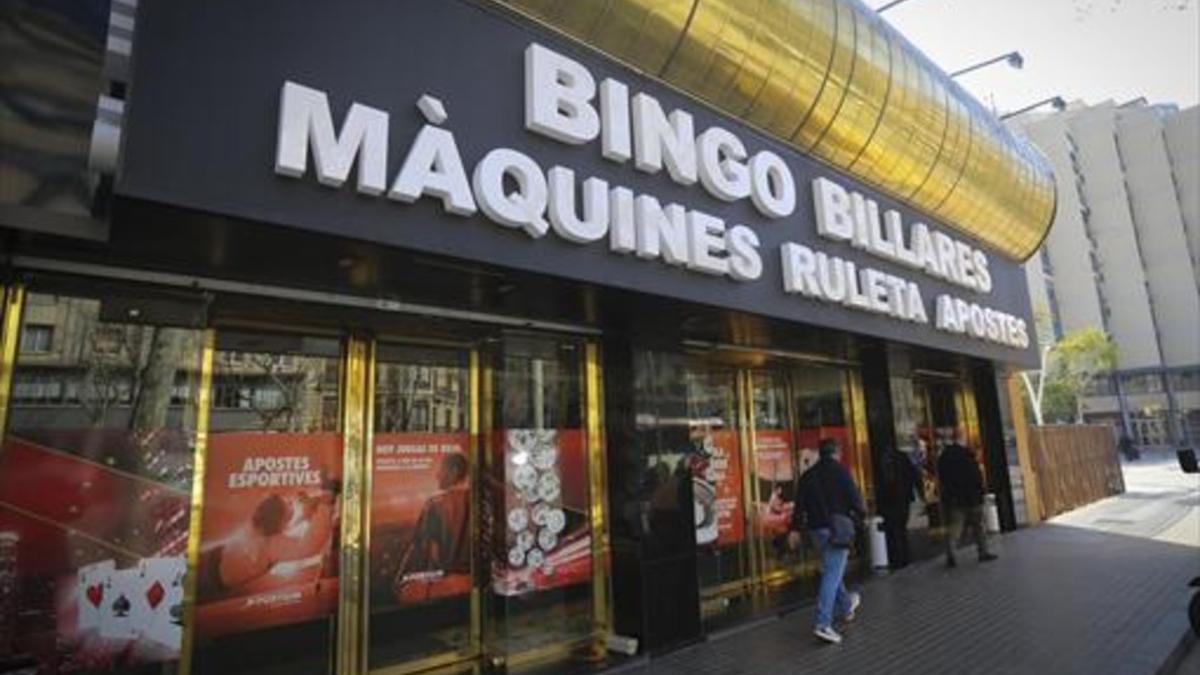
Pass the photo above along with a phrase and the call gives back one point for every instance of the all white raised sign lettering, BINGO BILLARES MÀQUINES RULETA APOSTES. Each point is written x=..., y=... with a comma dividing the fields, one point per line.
x=565, y=103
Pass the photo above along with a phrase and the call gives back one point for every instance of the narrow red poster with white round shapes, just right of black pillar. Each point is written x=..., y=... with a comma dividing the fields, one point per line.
x=717, y=488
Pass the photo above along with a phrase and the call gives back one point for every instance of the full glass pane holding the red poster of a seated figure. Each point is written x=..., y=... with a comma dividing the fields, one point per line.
x=422, y=543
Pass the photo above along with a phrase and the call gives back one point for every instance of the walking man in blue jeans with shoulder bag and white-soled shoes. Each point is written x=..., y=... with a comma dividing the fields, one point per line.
x=829, y=505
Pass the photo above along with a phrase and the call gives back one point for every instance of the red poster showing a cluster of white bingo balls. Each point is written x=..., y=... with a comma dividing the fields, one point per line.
x=542, y=536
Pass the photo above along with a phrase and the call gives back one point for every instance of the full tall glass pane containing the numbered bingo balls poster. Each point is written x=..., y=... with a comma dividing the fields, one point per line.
x=538, y=495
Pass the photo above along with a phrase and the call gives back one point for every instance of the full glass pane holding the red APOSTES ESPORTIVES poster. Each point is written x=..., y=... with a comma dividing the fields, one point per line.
x=267, y=581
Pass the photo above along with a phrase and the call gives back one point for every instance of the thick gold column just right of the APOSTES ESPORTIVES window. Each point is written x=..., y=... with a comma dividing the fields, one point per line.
x=351, y=650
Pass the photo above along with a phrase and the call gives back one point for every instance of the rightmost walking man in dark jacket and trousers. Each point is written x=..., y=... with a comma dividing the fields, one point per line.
x=962, y=499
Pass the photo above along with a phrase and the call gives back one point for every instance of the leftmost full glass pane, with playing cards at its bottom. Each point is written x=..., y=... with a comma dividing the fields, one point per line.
x=95, y=486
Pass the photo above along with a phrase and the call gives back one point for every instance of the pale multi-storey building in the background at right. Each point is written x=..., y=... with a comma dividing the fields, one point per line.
x=1125, y=255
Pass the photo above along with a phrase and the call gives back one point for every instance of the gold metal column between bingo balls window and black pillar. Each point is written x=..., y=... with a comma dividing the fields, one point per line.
x=598, y=491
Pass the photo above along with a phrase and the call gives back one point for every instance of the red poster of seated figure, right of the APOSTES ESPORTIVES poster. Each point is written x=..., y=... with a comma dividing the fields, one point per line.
x=421, y=518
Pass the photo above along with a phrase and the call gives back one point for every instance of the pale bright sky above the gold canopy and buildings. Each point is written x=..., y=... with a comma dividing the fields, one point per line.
x=1079, y=50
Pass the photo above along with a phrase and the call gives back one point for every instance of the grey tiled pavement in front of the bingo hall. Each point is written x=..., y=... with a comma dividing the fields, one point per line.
x=1061, y=600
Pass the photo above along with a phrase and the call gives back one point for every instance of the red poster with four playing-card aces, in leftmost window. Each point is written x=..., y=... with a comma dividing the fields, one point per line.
x=92, y=557
